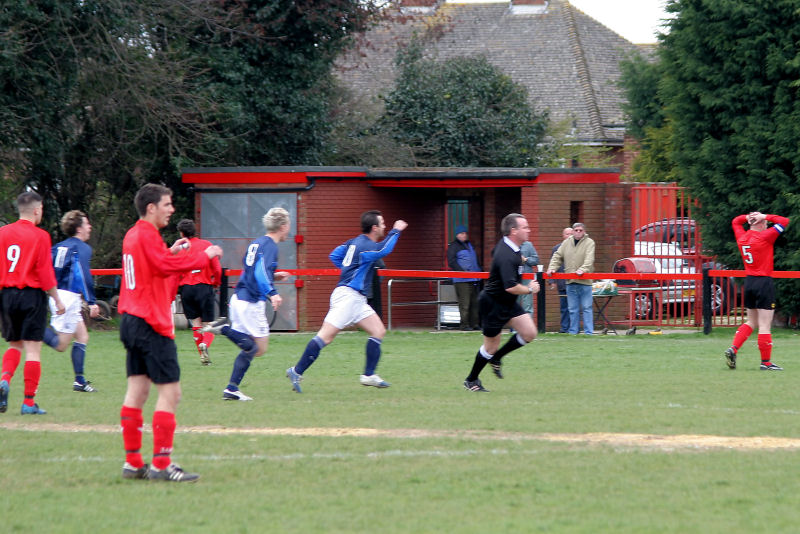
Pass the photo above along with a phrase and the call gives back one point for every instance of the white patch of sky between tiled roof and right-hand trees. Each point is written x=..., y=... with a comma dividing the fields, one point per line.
x=636, y=20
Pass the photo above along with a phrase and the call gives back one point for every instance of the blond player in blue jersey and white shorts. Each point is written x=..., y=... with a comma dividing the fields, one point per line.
x=249, y=328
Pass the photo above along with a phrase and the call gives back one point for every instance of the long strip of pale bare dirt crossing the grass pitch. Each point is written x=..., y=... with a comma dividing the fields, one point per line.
x=641, y=441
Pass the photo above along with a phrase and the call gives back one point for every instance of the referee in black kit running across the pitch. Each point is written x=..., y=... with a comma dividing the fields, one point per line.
x=498, y=302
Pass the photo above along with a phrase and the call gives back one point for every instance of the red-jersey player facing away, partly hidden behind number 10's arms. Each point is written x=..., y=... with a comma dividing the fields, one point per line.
x=197, y=292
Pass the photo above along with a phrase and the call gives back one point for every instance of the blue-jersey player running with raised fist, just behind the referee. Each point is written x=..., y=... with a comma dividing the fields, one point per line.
x=349, y=301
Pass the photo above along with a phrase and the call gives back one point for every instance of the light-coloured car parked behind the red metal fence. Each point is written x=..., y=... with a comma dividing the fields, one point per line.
x=666, y=258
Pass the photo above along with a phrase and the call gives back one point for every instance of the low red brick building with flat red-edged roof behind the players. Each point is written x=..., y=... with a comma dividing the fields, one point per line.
x=326, y=204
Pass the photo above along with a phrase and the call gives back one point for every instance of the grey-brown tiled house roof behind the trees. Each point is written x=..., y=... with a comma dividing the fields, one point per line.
x=567, y=60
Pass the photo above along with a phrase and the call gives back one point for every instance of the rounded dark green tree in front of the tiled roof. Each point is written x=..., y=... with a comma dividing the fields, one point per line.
x=463, y=112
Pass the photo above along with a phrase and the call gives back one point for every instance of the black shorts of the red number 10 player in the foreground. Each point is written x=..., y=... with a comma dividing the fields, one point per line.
x=149, y=353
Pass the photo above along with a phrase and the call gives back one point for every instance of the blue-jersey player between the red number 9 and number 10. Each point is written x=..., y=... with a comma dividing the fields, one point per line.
x=71, y=264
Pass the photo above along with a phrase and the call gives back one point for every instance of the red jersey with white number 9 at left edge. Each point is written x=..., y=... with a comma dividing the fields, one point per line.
x=25, y=256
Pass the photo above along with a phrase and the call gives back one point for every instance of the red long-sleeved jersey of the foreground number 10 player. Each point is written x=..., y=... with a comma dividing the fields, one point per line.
x=150, y=276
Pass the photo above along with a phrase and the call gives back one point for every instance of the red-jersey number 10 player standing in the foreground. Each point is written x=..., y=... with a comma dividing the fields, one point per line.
x=149, y=284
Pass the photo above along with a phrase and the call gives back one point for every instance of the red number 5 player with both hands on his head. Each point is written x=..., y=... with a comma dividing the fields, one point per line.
x=757, y=248
